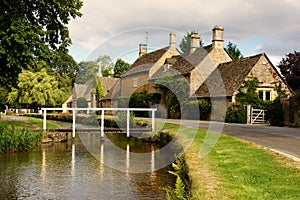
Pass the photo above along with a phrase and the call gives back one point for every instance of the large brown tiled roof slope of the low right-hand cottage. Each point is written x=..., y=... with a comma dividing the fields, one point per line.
x=227, y=77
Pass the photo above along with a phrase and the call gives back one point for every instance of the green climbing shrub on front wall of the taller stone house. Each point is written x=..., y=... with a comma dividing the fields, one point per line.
x=174, y=92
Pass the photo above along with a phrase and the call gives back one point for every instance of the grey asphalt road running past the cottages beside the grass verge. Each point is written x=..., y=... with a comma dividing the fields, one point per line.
x=281, y=139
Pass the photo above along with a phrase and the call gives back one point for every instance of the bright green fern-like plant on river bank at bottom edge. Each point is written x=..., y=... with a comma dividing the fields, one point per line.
x=182, y=181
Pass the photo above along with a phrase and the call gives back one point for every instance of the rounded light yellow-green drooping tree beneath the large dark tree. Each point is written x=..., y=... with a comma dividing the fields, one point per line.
x=35, y=89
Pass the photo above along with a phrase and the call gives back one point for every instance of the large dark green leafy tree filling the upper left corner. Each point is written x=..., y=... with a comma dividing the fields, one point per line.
x=30, y=32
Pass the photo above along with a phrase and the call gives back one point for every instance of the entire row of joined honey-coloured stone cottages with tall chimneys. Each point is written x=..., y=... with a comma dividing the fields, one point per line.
x=210, y=72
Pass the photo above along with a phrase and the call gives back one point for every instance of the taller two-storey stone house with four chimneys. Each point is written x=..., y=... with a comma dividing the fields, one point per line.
x=195, y=67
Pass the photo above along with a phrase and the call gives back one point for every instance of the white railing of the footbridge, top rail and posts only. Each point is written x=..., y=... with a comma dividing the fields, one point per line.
x=152, y=110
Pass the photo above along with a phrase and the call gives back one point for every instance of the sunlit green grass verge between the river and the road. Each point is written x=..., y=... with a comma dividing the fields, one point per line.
x=235, y=169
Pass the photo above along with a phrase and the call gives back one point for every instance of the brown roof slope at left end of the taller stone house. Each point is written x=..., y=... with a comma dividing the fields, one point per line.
x=145, y=62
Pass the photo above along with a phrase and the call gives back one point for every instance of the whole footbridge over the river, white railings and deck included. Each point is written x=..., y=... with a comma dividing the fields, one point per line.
x=102, y=129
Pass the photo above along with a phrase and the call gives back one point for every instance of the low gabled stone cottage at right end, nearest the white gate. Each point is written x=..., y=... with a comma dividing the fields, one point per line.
x=228, y=77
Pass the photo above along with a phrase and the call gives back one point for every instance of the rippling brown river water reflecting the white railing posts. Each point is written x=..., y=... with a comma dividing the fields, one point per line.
x=70, y=171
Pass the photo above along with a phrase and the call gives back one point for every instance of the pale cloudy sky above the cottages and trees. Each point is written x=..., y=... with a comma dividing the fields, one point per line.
x=116, y=28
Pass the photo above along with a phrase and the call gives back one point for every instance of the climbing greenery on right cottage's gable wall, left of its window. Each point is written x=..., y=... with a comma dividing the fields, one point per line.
x=247, y=94
